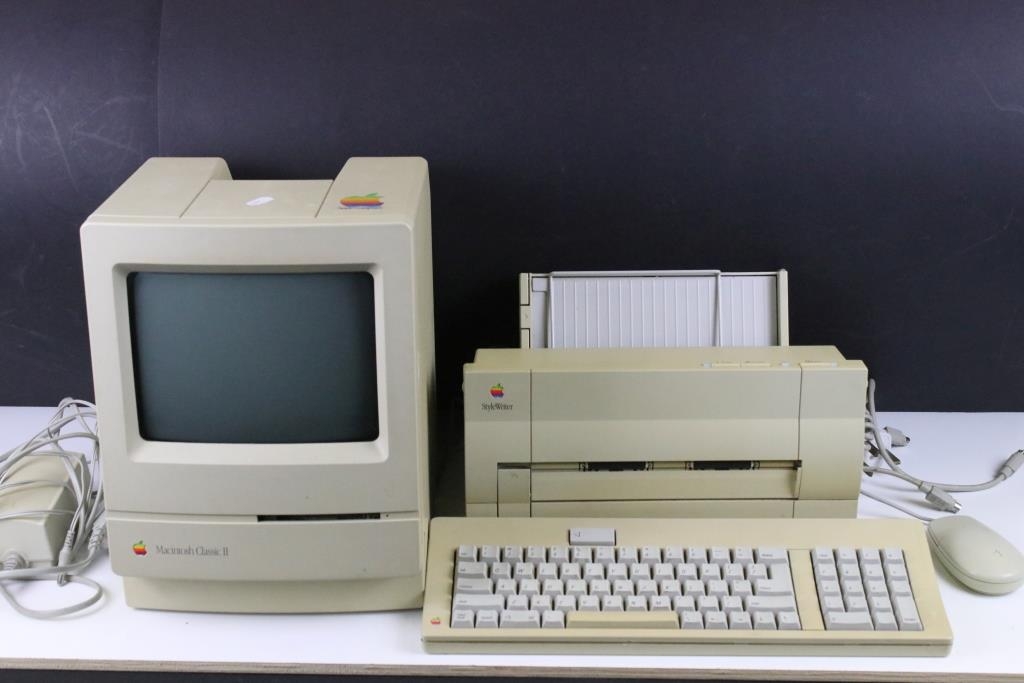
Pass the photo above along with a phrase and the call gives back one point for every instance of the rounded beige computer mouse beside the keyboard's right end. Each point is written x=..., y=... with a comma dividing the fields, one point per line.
x=975, y=556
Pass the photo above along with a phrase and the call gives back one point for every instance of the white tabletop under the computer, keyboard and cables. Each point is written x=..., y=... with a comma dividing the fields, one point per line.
x=989, y=636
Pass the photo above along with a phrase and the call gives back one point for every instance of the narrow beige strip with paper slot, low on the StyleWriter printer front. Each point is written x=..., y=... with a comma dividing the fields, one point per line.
x=773, y=481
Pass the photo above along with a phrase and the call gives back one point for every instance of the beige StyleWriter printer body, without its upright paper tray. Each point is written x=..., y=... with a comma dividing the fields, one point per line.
x=708, y=433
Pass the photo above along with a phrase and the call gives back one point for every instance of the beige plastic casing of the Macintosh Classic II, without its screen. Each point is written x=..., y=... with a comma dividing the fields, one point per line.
x=188, y=216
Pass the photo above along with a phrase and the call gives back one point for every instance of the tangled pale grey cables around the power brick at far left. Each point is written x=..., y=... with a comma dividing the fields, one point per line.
x=87, y=530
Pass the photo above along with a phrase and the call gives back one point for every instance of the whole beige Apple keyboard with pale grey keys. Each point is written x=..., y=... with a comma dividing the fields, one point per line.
x=682, y=586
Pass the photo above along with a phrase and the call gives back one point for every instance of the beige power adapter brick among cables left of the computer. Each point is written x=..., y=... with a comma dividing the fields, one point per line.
x=37, y=539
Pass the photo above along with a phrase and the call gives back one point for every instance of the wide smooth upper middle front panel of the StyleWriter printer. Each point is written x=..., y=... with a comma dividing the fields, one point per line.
x=699, y=414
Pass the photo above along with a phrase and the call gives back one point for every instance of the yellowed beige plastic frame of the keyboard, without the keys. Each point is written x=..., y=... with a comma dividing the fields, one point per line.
x=799, y=536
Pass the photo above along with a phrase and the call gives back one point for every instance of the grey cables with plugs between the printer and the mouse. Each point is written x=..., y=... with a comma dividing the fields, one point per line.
x=940, y=495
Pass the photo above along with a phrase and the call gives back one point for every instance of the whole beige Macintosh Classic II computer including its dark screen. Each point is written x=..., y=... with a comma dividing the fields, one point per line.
x=264, y=366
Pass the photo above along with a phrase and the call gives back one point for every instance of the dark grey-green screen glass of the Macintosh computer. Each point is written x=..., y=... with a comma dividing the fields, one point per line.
x=254, y=358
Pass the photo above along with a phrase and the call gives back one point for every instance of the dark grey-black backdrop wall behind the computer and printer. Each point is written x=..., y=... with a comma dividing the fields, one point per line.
x=874, y=150
